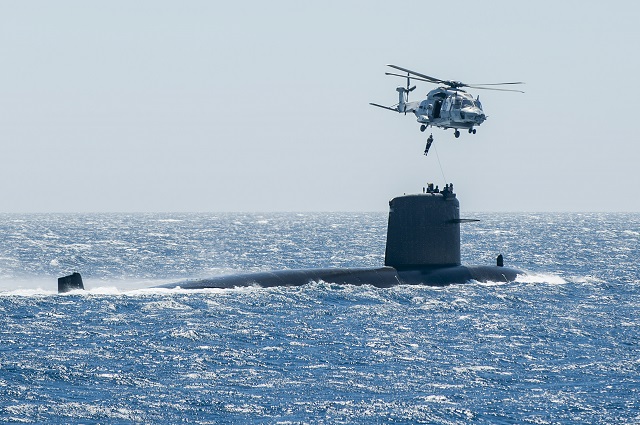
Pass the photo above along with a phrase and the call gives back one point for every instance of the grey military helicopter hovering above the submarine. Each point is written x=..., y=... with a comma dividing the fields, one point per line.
x=447, y=106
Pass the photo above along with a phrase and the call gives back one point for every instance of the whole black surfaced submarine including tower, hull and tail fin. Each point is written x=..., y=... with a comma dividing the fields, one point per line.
x=422, y=248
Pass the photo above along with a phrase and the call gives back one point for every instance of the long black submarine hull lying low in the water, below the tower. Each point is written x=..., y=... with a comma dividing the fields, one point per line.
x=381, y=277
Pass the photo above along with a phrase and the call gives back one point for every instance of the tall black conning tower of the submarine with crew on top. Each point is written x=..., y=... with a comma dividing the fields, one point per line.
x=423, y=231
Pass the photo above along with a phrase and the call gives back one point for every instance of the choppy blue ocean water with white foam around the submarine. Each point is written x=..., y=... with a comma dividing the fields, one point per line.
x=560, y=345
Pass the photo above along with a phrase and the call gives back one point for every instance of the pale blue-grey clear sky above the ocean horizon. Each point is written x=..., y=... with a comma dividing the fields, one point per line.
x=214, y=106
